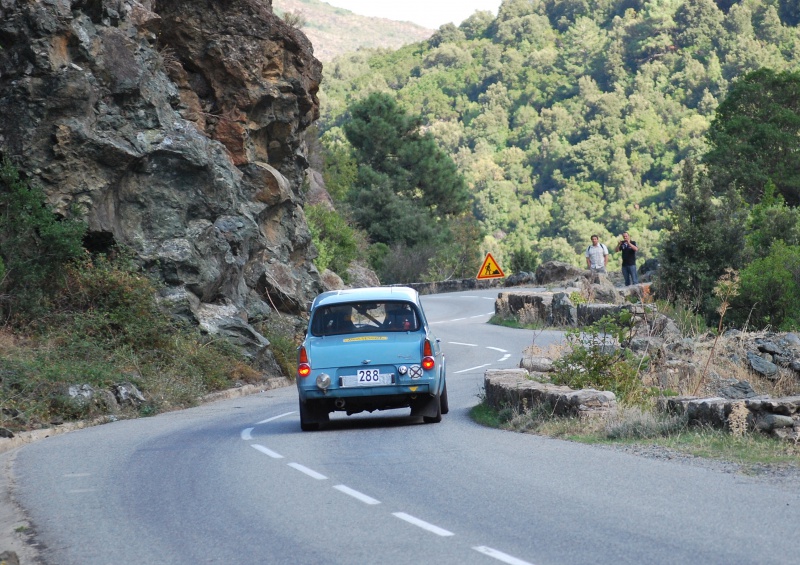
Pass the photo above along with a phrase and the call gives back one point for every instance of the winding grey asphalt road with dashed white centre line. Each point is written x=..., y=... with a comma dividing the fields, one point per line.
x=237, y=482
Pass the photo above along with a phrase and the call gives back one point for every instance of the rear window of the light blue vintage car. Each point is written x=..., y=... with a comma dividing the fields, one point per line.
x=365, y=317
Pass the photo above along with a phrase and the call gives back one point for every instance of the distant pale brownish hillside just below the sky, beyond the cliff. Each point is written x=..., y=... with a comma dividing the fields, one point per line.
x=336, y=31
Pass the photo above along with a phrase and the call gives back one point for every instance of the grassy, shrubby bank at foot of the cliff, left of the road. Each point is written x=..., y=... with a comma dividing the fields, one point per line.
x=104, y=328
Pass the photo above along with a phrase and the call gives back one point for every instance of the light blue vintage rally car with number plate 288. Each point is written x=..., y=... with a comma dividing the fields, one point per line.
x=369, y=349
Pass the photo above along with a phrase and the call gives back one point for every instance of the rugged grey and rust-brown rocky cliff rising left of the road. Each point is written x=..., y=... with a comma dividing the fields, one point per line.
x=172, y=127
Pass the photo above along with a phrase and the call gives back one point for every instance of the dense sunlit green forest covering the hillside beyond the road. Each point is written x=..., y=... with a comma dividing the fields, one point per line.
x=565, y=118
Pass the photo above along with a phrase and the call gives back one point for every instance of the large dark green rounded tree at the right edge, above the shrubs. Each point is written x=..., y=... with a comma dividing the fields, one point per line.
x=755, y=136
